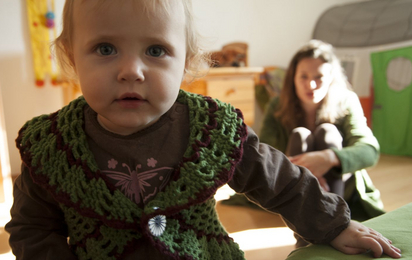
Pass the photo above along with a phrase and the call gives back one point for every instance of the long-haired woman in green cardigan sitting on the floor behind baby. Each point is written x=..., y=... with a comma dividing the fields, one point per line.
x=319, y=123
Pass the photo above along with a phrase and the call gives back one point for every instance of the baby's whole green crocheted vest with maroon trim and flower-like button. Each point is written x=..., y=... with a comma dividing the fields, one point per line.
x=102, y=222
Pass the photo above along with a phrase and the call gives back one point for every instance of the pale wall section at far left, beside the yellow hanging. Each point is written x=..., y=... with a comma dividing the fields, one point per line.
x=22, y=100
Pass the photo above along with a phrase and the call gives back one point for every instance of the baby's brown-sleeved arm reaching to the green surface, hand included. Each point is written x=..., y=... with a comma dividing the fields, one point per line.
x=268, y=178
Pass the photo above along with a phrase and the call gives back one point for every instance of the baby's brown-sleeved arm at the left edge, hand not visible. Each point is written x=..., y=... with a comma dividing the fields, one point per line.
x=37, y=228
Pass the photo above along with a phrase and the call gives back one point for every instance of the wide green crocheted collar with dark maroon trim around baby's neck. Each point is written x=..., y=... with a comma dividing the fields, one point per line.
x=54, y=148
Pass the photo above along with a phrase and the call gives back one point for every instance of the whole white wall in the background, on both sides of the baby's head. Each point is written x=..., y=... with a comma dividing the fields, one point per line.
x=274, y=29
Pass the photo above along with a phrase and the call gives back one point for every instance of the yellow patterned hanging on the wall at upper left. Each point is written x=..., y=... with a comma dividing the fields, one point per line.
x=42, y=33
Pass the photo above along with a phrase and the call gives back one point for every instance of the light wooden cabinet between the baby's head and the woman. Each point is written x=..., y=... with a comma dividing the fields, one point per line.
x=231, y=85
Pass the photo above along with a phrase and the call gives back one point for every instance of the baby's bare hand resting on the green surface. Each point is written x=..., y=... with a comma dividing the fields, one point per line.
x=358, y=239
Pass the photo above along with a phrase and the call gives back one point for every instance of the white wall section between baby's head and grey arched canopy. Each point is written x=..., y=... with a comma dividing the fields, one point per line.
x=274, y=29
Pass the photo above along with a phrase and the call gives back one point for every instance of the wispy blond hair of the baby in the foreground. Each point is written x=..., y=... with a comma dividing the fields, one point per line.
x=197, y=58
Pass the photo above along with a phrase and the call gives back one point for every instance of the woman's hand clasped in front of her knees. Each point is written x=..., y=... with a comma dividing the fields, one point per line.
x=318, y=162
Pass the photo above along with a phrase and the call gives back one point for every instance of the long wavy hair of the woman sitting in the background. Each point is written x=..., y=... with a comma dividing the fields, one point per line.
x=290, y=113
